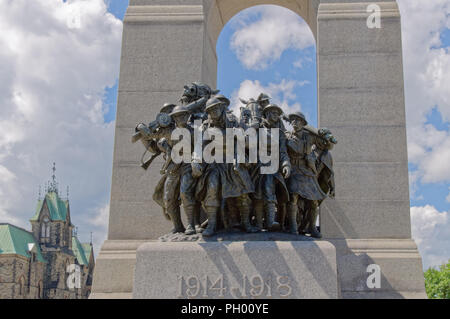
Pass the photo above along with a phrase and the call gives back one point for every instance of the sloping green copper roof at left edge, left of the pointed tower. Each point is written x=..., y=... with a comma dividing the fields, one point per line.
x=15, y=240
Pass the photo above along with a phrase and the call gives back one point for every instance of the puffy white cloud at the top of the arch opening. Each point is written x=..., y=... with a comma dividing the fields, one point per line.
x=259, y=43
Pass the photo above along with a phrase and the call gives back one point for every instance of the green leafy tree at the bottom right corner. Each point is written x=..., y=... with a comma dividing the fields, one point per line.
x=437, y=282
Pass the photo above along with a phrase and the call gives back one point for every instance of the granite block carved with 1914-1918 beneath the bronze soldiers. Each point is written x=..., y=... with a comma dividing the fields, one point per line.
x=245, y=269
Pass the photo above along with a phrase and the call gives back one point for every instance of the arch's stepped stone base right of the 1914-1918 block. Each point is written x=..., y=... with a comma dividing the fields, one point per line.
x=399, y=262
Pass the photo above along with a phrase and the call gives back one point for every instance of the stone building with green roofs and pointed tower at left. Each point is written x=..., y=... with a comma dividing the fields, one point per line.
x=49, y=262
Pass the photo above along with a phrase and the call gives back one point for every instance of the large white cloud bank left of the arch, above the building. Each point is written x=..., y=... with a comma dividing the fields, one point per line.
x=53, y=80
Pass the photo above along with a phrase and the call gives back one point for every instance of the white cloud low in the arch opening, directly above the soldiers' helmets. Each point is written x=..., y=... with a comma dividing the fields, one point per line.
x=282, y=94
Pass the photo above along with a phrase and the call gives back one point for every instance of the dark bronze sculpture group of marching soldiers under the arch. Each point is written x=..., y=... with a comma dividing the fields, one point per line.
x=236, y=195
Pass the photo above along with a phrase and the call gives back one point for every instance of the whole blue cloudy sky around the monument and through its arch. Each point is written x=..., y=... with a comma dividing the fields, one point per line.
x=59, y=87
